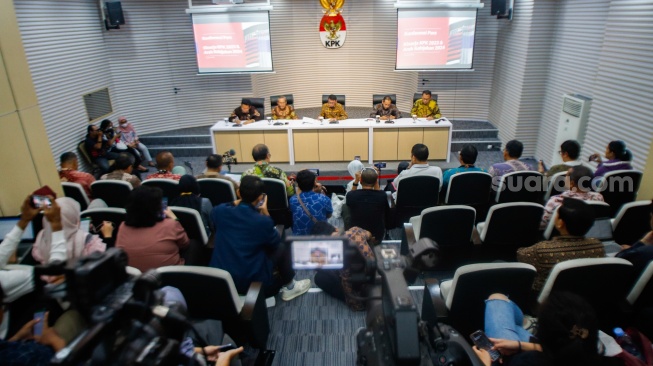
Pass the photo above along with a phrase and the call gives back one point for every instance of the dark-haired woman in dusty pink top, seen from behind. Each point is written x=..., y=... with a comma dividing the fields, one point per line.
x=152, y=238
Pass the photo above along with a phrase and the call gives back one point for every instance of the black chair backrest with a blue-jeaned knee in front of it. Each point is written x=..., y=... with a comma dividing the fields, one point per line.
x=474, y=283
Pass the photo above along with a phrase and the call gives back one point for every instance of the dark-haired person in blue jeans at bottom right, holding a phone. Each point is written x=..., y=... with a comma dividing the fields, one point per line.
x=567, y=332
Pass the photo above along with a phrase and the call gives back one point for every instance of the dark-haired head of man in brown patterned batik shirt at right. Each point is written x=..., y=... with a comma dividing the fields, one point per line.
x=574, y=217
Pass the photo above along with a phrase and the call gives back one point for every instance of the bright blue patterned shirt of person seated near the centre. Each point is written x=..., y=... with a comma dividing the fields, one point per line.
x=317, y=204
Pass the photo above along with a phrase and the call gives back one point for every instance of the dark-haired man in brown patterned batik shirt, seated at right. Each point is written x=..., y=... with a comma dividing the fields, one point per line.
x=573, y=221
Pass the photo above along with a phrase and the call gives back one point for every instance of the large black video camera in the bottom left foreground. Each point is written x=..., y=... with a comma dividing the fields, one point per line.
x=127, y=322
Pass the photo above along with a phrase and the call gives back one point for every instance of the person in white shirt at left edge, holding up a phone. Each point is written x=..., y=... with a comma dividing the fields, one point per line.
x=17, y=282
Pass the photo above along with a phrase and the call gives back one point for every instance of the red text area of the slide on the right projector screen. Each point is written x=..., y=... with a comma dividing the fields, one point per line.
x=422, y=42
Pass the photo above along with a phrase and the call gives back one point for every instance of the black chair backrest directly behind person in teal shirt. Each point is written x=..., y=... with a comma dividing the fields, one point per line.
x=469, y=188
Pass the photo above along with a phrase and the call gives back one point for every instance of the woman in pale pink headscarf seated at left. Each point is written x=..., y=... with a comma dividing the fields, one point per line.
x=79, y=243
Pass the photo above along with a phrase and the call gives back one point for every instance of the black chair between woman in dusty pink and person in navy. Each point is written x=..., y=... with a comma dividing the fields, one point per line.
x=197, y=254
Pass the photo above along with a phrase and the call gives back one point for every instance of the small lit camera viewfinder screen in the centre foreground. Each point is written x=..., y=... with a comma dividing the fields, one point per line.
x=313, y=254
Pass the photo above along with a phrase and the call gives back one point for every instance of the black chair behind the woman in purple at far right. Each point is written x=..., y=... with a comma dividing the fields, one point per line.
x=619, y=187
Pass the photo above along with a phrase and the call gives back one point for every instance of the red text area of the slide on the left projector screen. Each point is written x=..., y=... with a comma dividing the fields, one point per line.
x=220, y=45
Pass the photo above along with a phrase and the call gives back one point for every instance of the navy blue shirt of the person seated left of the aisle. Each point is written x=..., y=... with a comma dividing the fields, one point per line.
x=242, y=237
